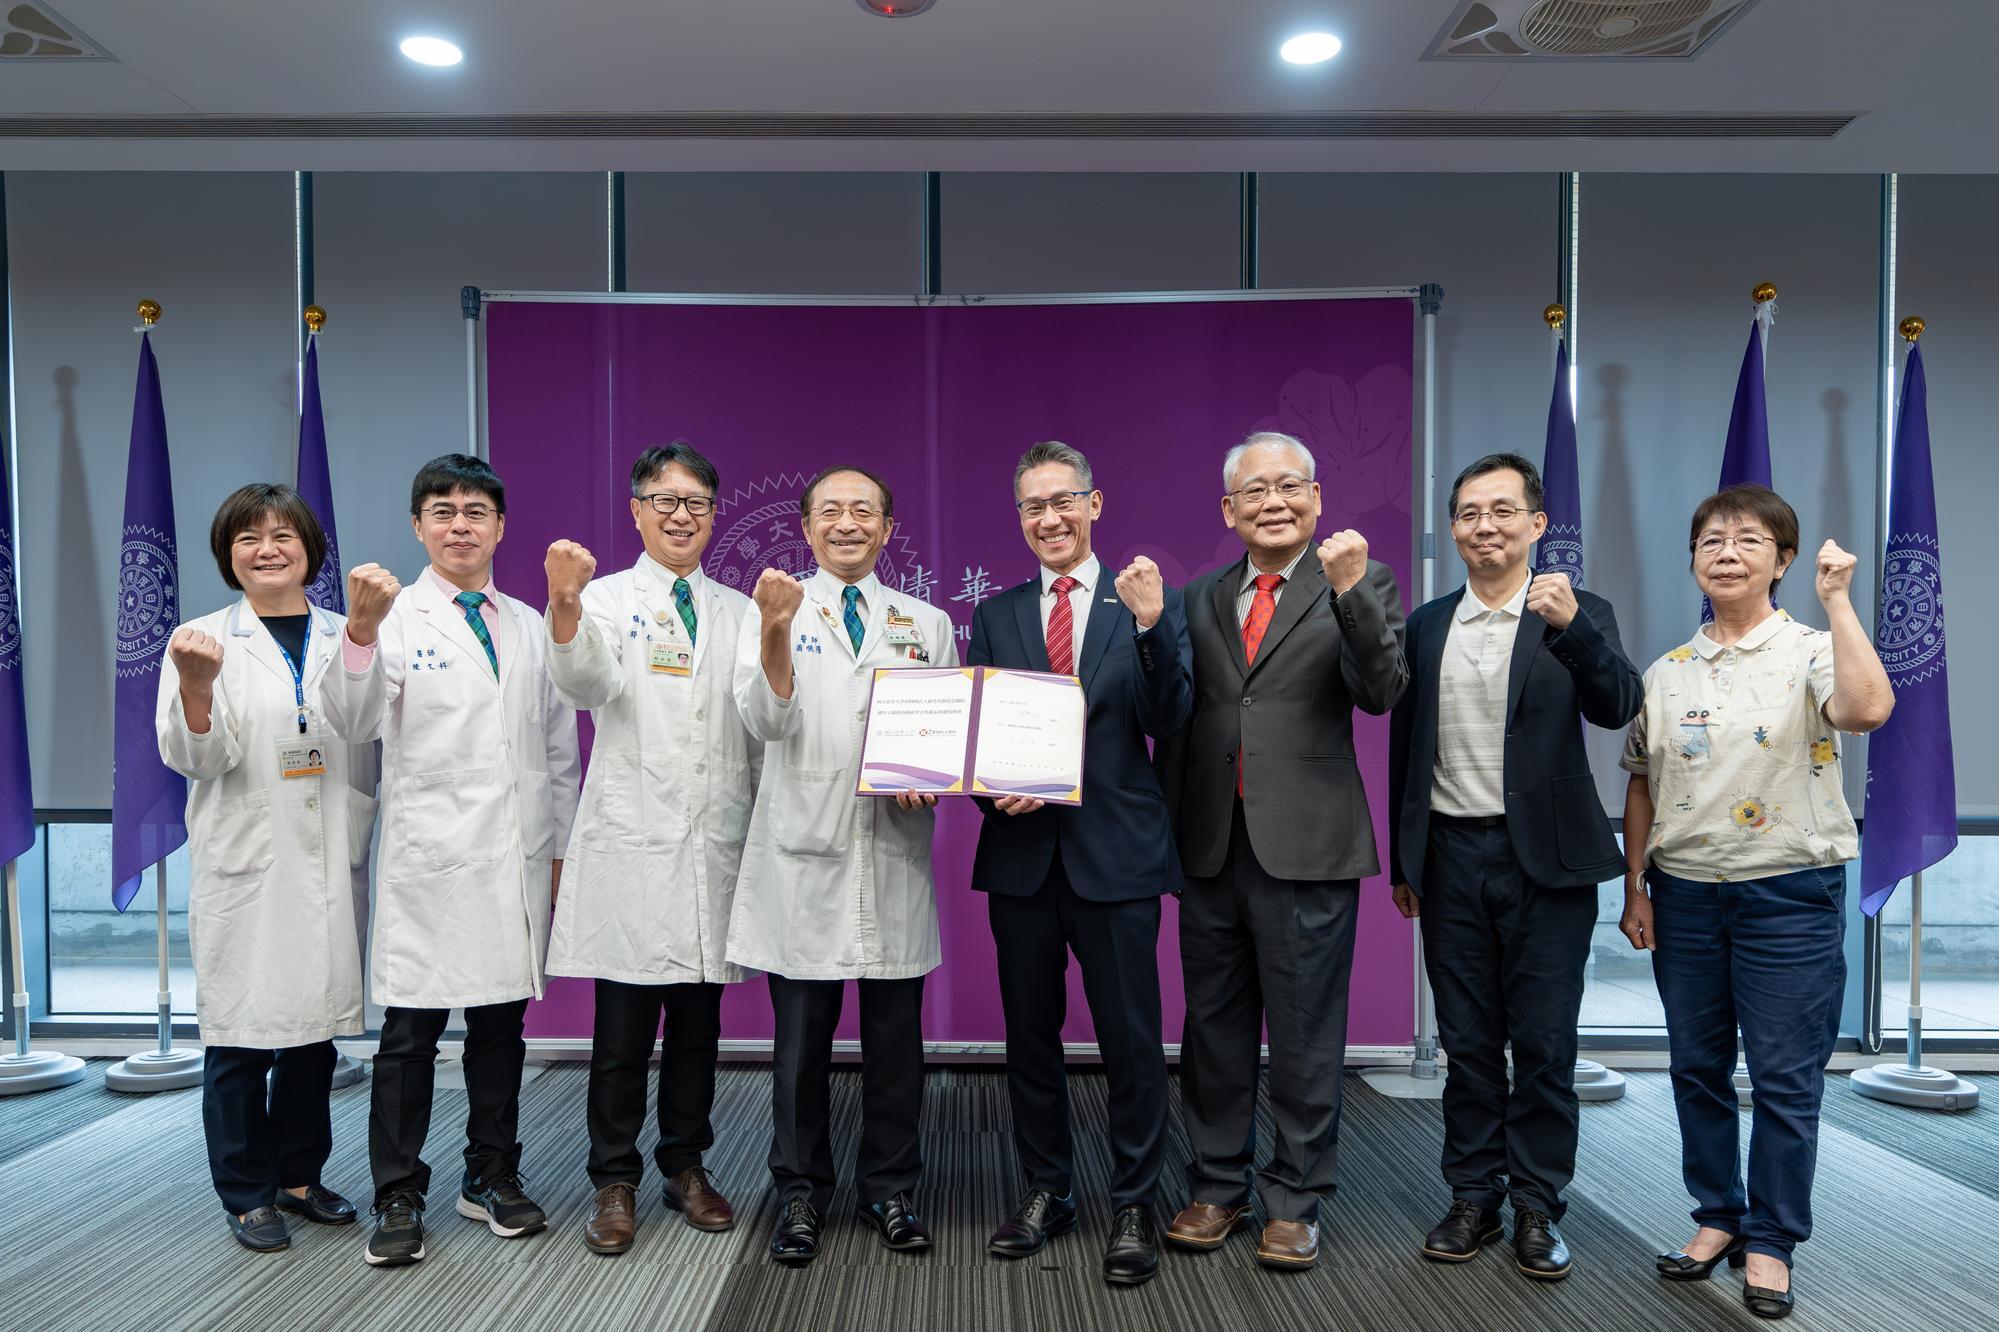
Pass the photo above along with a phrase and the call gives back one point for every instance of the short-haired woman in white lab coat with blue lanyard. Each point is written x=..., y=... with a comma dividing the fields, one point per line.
x=279, y=825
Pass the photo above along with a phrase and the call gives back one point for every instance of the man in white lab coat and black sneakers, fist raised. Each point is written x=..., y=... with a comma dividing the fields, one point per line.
x=479, y=787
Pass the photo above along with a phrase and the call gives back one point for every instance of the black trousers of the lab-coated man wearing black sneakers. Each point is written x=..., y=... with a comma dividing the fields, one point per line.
x=407, y=1075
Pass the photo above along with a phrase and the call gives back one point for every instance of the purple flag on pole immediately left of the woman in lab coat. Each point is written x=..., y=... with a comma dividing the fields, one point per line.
x=149, y=799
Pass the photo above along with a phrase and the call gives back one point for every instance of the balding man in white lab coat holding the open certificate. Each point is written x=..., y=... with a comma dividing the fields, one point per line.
x=837, y=887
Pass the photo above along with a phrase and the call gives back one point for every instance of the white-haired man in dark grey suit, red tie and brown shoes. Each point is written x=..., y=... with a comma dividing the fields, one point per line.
x=1274, y=835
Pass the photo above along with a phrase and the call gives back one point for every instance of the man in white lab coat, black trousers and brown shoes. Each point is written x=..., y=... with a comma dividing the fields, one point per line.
x=659, y=839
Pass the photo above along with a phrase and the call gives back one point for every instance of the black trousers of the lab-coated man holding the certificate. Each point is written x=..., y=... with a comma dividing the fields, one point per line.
x=893, y=1089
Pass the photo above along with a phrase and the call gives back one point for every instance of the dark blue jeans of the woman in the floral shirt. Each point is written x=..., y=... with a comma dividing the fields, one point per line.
x=1766, y=957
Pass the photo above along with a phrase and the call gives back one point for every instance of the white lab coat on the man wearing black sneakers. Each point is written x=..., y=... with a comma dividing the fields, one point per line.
x=479, y=787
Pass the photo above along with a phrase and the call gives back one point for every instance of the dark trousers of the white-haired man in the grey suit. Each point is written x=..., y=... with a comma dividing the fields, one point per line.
x=1264, y=951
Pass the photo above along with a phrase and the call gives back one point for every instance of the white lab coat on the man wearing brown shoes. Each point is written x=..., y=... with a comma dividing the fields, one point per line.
x=659, y=837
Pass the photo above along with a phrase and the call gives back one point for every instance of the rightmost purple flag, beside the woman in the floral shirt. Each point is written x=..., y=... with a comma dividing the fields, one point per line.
x=1912, y=787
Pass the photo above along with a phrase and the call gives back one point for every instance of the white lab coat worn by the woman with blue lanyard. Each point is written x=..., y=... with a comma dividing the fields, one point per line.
x=279, y=885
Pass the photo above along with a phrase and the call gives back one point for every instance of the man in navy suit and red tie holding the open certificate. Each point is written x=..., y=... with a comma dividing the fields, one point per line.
x=1088, y=879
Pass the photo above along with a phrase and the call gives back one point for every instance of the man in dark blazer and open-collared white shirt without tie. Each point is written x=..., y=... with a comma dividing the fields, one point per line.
x=1498, y=843
